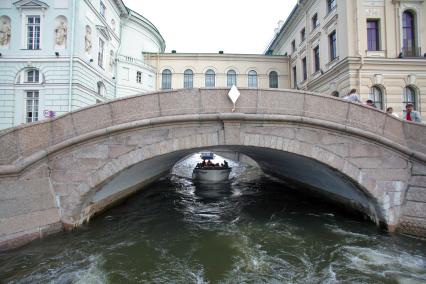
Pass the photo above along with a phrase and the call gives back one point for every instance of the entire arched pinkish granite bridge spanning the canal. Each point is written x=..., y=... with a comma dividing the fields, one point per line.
x=58, y=173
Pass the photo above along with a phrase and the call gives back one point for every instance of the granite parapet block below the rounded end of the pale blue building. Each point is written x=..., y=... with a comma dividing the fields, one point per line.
x=135, y=108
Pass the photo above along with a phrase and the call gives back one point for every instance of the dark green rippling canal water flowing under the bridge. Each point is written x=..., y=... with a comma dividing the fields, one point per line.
x=255, y=230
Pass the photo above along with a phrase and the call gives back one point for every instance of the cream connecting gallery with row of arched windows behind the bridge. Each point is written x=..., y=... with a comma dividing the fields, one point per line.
x=195, y=70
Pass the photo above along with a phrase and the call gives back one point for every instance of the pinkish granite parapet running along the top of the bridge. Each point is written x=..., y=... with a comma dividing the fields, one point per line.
x=38, y=139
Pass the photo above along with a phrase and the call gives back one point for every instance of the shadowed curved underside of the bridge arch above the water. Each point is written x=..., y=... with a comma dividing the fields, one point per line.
x=313, y=175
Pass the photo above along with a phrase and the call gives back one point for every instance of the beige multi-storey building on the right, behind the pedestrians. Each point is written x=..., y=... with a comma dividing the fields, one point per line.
x=374, y=46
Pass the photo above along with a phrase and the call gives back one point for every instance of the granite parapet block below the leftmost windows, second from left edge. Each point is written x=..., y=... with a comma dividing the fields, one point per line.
x=33, y=138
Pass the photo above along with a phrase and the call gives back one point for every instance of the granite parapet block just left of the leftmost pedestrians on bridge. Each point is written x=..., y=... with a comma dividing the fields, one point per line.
x=326, y=108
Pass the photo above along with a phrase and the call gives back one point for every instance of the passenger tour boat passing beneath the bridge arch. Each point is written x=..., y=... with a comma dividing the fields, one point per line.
x=207, y=172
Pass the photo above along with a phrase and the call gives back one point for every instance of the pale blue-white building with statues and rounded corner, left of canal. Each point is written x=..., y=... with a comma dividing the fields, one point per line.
x=61, y=55
